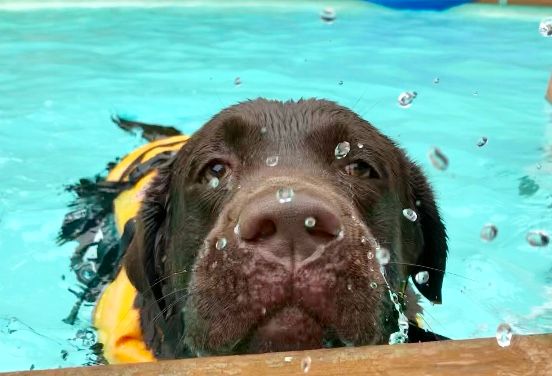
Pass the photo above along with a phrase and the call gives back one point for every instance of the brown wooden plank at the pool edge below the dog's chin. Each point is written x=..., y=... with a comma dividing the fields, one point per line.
x=527, y=355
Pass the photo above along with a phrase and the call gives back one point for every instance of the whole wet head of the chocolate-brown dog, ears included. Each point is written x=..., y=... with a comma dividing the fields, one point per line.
x=268, y=230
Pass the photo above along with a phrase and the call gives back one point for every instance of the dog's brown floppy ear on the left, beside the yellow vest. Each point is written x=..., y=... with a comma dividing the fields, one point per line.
x=142, y=260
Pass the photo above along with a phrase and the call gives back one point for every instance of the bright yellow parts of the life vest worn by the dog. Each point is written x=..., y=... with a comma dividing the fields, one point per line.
x=115, y=318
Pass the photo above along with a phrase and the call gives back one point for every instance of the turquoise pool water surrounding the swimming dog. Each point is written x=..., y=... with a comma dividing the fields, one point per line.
x=65, y=70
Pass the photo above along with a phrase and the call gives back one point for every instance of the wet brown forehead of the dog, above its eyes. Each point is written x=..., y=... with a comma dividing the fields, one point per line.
x=304, y=129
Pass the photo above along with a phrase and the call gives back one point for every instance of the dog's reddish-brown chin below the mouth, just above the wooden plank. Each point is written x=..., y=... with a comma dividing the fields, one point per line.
x=286, y=330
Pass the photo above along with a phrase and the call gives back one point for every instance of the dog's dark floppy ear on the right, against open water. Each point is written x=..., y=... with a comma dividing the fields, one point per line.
x=432, y=256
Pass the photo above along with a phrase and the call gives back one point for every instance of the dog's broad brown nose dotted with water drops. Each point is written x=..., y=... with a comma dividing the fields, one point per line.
x=289, y=229
